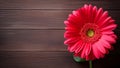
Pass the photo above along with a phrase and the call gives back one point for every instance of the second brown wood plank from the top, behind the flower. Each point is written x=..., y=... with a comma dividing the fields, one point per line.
x=38, y=19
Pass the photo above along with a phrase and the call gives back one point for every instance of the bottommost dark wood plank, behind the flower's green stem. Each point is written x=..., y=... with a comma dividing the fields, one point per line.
x=51, y=60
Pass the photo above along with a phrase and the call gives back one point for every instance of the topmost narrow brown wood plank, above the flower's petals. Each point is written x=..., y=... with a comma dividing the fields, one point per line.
x=56, y=4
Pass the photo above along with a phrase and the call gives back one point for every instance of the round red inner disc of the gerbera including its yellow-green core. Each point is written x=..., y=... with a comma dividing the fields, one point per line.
x=90, y=33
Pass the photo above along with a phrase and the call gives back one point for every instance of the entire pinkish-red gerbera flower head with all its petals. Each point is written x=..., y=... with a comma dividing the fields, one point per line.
x=89, y=32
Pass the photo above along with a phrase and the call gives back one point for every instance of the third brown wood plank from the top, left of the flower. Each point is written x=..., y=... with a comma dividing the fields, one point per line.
x=32, y=40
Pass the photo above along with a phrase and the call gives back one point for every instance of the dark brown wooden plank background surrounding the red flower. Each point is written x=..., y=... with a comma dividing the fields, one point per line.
x=31, y=33
